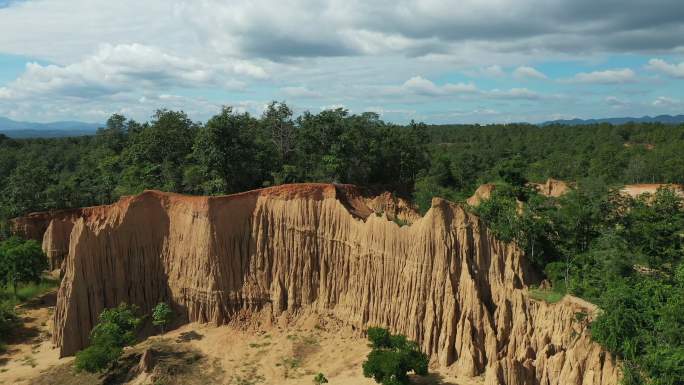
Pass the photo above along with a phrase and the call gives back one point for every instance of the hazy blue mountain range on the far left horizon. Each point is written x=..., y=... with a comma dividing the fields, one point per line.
x=15, y=129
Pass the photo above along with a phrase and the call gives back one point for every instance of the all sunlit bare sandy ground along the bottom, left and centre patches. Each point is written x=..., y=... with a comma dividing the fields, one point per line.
x=244, y=356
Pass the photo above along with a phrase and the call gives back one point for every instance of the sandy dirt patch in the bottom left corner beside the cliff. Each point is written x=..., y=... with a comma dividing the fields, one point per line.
x=30, y=351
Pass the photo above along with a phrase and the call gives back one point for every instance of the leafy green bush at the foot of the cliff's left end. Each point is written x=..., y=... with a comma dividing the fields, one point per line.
x=115, y=330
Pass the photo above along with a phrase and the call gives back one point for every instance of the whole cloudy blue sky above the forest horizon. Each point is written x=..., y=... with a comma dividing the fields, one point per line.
x=437, y=61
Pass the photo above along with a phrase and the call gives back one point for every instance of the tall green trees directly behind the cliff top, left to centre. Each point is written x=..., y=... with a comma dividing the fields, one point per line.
x=231, y=152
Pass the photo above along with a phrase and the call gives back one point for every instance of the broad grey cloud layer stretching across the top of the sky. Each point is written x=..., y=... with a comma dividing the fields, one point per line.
x=313, y=28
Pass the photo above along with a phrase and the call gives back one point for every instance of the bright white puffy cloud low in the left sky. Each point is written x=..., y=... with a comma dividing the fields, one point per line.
x=121, y=68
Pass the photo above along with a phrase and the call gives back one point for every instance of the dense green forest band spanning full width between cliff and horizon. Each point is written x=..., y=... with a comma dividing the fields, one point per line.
x=234, y=151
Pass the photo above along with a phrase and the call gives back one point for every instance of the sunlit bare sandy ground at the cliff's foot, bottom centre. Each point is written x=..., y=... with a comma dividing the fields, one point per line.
x=291, y=356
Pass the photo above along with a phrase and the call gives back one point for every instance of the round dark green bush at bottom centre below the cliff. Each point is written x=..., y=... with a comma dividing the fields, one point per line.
x=392, y=358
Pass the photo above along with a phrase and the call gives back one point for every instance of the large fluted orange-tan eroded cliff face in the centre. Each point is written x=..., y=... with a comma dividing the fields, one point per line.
x=444, y=281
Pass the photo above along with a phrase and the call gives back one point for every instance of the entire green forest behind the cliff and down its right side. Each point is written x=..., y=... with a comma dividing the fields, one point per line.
x=621, y=253
